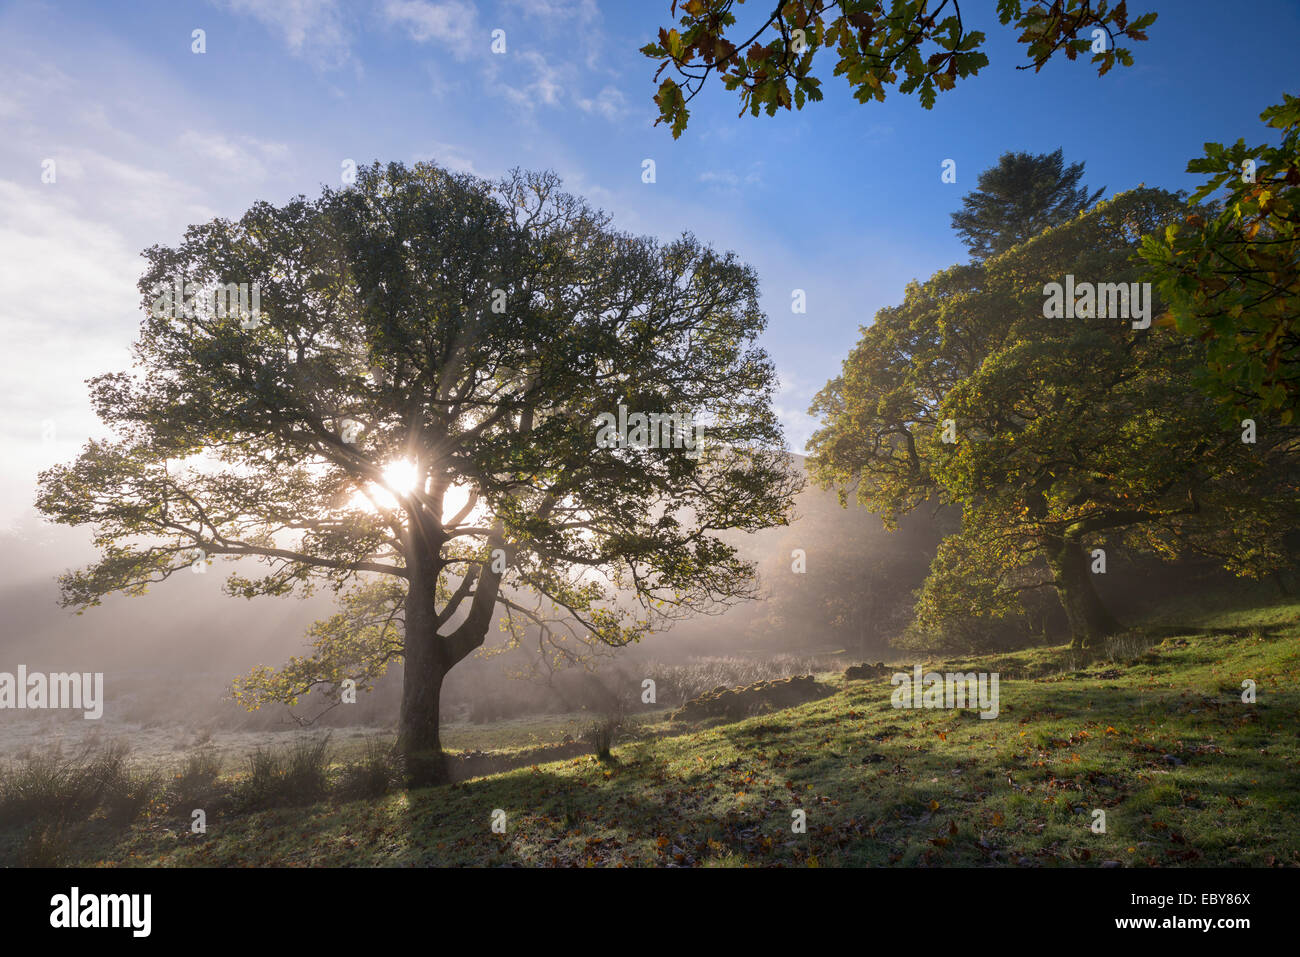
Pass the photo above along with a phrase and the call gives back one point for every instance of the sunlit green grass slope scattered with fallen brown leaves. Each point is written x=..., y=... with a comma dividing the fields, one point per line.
x=1186, y=774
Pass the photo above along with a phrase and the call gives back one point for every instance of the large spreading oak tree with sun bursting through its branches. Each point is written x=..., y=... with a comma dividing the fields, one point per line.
x=411, y=422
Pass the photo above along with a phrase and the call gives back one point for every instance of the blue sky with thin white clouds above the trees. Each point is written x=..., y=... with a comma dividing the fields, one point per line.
x=843, y=201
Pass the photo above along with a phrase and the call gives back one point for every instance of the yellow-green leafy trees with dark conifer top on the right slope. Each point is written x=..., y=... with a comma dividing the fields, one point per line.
x=1056, y=439
